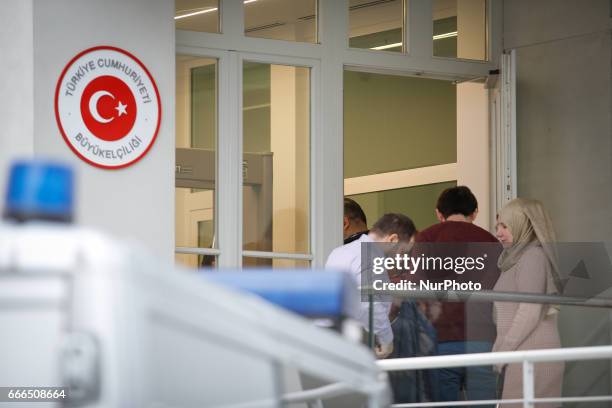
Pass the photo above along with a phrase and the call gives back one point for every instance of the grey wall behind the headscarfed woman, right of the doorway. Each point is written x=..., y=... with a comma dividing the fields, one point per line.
x=564, y=141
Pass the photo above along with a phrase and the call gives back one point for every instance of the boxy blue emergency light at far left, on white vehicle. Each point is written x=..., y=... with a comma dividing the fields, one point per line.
x=39, y=190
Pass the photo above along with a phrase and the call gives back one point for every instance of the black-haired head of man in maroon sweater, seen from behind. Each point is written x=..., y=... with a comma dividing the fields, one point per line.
x=457, y=204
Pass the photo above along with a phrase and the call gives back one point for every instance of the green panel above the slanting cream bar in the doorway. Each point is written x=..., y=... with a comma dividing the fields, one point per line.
x=413, y=120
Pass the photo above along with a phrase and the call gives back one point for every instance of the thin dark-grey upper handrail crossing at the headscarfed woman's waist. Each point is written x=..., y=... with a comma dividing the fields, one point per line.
x=490, y=296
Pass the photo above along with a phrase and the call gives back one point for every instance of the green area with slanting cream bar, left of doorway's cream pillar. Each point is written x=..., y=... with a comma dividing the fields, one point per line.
x=414, y=124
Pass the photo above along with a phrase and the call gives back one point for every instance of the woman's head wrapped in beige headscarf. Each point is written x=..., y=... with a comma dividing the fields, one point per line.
x=523, y=220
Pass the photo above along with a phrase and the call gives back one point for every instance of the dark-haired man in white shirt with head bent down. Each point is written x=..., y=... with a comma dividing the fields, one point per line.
x=390, y=228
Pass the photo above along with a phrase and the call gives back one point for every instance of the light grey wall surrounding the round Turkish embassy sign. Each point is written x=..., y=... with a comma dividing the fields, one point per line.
x=137, y=201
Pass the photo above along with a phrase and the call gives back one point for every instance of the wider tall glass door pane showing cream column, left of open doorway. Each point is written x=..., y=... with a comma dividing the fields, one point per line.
x=276, y=144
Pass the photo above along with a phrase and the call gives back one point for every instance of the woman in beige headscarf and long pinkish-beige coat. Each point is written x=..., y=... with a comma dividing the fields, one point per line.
x=528, y=265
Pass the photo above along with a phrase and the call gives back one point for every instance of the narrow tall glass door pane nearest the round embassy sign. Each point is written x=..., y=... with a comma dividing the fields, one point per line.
x=195, y=166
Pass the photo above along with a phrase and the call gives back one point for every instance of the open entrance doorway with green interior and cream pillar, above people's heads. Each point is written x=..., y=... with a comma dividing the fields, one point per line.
x=408, y=138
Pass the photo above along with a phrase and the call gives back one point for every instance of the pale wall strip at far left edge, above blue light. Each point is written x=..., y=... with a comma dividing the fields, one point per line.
x=16, y=87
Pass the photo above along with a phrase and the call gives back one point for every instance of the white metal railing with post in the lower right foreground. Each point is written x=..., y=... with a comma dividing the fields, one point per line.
x=526, y=358
